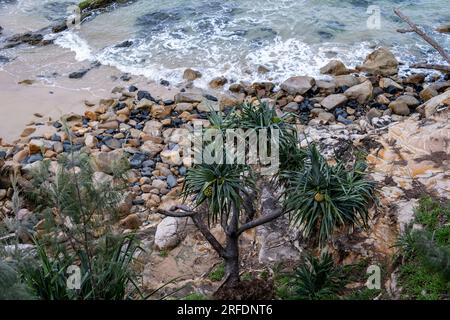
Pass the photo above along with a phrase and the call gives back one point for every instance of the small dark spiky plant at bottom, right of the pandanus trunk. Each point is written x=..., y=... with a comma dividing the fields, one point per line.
x=317, y=278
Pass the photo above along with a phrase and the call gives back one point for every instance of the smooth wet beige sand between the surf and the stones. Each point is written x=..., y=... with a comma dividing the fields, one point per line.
x=51, y=93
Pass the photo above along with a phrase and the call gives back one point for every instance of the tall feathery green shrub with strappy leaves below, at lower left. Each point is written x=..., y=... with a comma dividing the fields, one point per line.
x=80, y=210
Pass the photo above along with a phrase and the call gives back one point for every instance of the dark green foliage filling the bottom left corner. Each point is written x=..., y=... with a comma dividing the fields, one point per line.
x=11, y=288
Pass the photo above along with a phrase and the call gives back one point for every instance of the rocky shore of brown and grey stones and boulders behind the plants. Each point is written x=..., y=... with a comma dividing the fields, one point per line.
x=398, y=123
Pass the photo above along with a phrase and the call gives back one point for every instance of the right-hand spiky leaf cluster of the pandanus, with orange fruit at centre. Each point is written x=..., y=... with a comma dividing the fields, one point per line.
x=322, y=198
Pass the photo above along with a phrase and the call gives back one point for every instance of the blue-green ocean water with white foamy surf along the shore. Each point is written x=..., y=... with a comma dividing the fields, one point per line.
x=233, y=38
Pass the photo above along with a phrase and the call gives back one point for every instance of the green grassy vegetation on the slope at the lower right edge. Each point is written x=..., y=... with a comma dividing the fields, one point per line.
x=425, y=269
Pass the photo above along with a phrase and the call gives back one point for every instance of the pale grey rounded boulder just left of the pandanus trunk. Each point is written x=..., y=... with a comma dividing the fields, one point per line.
x=170, y=232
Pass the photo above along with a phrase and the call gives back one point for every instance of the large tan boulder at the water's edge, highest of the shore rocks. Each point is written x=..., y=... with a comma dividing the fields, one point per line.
x=380, y=62
